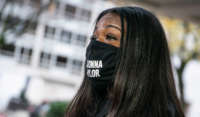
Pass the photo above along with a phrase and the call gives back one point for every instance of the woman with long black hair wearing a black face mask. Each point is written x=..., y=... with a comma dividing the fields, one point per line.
x=128, y=71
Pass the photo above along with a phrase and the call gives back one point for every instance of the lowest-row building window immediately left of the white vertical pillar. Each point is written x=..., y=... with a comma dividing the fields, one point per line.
x=25, y=55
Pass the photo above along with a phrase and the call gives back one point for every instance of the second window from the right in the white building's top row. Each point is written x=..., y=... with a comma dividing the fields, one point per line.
x=70, y=11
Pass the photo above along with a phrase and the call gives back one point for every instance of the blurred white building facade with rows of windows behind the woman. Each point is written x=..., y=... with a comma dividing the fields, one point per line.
x=52, y=53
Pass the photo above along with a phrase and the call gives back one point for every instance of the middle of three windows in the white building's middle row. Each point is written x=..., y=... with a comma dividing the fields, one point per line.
x=66, y=36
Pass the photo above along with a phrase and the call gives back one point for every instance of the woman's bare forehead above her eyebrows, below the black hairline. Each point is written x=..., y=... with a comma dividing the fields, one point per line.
x=110, y=18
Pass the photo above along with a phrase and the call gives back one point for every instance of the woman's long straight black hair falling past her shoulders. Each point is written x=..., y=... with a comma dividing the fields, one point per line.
x=144, y=82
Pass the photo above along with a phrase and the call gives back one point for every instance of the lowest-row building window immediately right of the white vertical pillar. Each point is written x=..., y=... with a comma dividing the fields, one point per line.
x=45, y=59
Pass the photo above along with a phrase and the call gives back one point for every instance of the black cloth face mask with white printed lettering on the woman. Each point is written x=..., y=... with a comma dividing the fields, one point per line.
x=100, y=66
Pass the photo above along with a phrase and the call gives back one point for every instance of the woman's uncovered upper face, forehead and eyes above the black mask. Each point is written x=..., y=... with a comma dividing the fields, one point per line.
x=108, y=29
